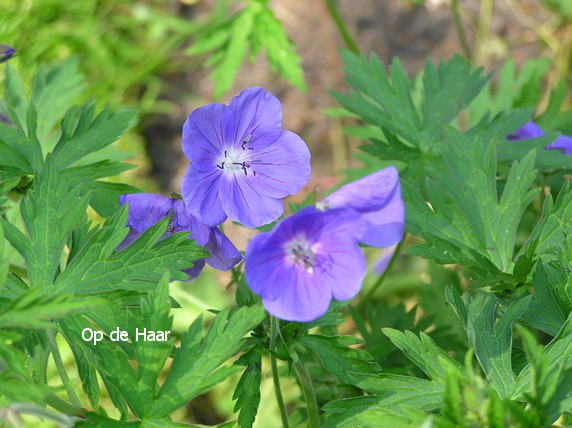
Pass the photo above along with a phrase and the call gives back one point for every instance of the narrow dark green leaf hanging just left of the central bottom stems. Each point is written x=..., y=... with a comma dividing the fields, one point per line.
x=247, y=391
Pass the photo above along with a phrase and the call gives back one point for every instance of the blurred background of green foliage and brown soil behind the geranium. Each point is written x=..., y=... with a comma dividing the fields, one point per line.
x=167, y=57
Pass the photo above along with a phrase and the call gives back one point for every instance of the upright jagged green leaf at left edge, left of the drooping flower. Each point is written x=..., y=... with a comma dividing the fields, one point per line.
x=47, y=225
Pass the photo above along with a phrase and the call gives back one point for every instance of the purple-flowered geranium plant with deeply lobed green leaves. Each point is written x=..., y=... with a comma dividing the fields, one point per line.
x=478, y=199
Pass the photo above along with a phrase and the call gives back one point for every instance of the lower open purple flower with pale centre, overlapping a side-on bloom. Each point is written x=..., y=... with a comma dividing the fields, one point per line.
x=305, y=261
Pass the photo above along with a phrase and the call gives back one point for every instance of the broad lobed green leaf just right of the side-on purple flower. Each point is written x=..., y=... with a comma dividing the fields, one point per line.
x=466, y=215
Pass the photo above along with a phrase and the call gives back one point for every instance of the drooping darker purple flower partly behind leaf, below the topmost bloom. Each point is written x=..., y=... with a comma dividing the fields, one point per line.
x=146, y=209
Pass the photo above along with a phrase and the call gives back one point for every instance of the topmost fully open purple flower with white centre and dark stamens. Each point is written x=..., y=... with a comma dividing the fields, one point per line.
x=241, y=161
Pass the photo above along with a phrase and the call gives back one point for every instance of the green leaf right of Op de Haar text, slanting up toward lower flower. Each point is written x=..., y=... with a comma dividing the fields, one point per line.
x=196, y=364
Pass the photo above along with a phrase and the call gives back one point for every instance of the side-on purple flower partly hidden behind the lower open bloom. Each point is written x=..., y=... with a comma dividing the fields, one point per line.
x=377, y=197
